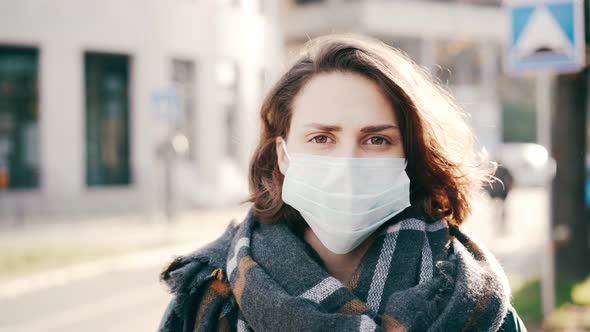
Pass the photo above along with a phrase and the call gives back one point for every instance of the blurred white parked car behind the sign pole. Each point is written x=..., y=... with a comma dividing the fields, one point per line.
x=529, y=163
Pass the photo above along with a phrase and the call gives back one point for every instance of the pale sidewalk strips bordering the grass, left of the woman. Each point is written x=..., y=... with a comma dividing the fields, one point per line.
x=130, y=241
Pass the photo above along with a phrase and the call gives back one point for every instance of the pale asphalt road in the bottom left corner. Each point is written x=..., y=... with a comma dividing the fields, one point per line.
x=127, y=300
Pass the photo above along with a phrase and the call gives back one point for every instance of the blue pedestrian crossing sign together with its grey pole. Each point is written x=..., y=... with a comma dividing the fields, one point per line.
x=547, y=37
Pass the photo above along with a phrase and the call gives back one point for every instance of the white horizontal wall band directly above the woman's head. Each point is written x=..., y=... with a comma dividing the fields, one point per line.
x=424, y=19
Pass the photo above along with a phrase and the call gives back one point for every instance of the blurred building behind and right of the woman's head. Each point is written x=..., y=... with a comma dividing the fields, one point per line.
x=460, y=42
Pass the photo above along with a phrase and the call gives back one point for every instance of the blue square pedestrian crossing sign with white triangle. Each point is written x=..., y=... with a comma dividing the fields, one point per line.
x=545, y=35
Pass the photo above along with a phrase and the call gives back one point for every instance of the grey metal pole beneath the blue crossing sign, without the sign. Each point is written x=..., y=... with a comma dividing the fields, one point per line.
x=544, y=119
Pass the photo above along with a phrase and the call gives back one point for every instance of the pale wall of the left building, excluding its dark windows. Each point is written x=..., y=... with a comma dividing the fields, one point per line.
x=152, y=33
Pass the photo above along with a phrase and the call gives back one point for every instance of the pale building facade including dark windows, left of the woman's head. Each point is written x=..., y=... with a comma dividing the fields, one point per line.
x=94, y=94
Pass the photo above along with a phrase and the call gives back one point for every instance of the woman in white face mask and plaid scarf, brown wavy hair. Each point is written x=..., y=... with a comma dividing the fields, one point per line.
x=363, y=174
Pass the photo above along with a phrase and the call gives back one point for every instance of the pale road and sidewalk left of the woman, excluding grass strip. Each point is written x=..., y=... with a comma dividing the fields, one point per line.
x=112, y=294
